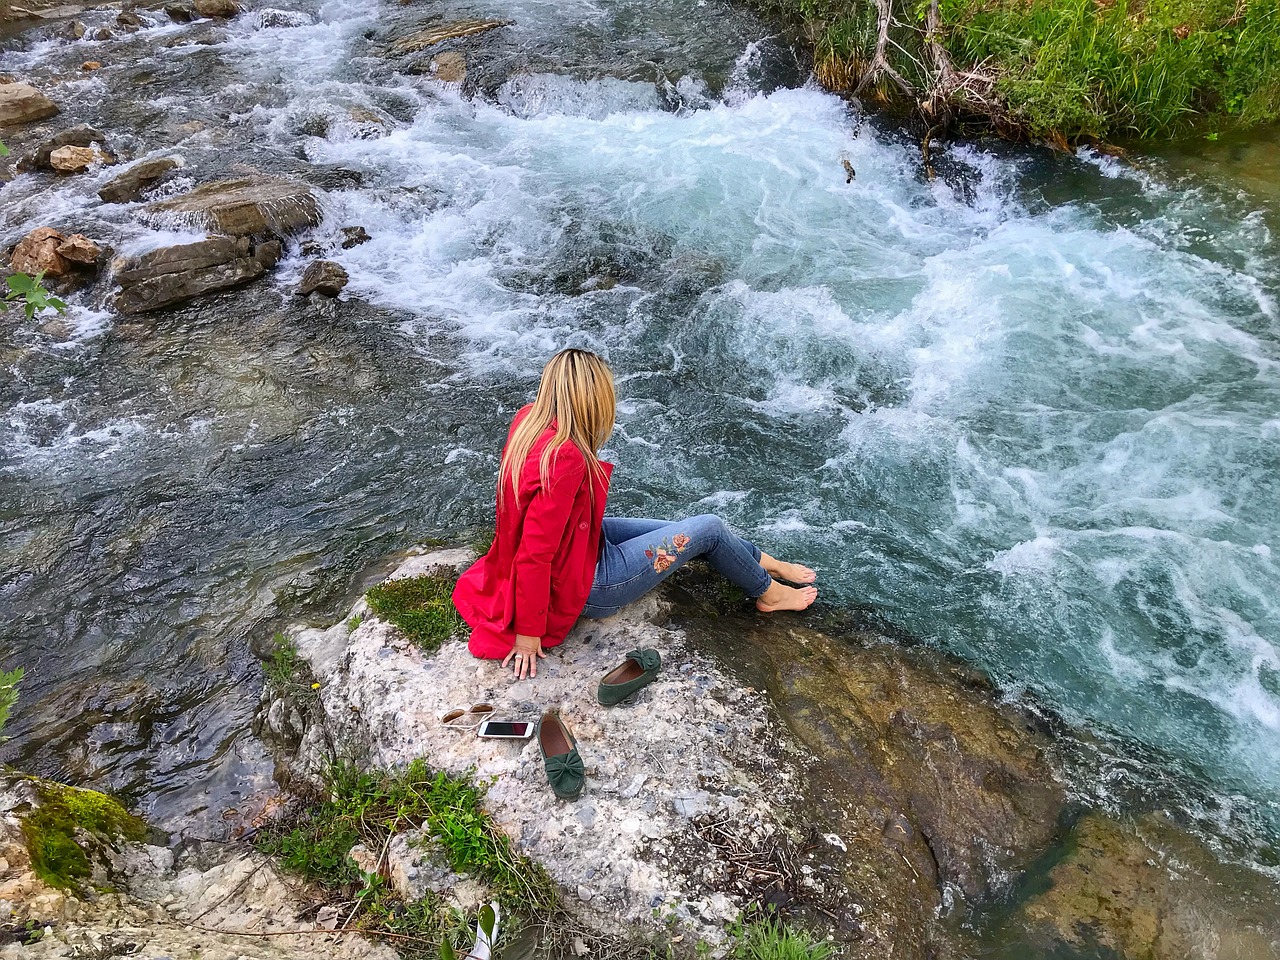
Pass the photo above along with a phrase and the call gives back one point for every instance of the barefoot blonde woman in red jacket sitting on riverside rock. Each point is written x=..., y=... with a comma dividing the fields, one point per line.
x=556, y=556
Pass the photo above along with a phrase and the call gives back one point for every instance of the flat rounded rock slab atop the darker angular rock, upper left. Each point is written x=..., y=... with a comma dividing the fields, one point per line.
x=245, y=208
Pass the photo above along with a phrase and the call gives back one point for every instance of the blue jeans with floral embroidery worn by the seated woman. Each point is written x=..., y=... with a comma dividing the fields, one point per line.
x=638, y=555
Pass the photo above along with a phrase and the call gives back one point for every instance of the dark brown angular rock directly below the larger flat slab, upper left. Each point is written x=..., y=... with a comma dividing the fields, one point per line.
x=175, y=275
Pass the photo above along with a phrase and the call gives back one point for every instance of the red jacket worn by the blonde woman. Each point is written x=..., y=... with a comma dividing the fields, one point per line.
x=537, y=577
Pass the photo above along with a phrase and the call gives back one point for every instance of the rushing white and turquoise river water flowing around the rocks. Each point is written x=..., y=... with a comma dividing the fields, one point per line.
x=1028, y=412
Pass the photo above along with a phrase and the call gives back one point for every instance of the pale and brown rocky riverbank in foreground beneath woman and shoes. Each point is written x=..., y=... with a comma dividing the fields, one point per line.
x=881, y=798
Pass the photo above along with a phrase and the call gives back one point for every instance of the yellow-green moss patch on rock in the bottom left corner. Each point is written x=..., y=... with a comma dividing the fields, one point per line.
x=57, y=856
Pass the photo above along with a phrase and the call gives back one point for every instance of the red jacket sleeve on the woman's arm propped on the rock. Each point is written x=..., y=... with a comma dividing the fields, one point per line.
x=546, y=520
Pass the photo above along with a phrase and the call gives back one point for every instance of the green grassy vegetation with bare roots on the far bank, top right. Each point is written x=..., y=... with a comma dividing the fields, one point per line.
x=1062, y=71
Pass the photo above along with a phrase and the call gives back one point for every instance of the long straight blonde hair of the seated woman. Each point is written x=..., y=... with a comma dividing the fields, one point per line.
x=575, y=395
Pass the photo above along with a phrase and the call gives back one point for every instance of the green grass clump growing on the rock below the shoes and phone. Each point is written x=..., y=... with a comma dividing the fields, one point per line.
x=371, y=808
